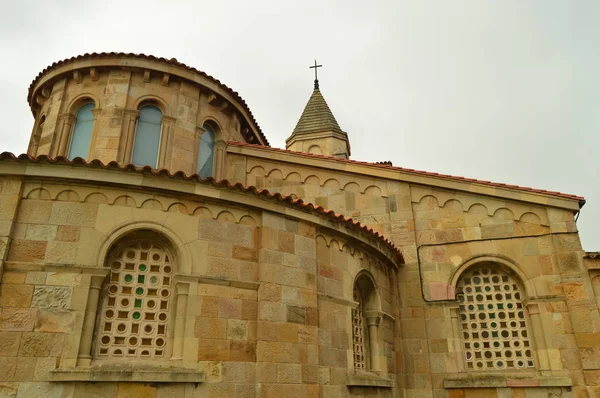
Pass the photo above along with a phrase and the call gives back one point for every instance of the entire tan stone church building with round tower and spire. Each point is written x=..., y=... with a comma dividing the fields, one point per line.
x=153, y=244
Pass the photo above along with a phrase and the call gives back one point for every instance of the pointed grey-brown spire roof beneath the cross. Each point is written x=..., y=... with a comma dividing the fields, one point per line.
x=316, y=116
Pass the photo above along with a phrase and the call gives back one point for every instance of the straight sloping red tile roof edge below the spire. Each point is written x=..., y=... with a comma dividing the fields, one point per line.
x=413, y=171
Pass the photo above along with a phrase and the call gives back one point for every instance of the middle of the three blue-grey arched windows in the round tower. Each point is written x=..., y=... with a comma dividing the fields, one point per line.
x=147, y=137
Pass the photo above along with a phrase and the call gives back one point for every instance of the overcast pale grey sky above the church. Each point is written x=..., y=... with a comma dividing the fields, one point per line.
x=504, y=90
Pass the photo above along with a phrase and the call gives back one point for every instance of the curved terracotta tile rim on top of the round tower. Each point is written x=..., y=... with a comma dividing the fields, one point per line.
x=171, y=61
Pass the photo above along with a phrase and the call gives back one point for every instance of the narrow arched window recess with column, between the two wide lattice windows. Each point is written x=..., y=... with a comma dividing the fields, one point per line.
x=366, y=318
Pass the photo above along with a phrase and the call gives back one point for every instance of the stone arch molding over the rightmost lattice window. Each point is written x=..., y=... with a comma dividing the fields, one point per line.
x=504, y=262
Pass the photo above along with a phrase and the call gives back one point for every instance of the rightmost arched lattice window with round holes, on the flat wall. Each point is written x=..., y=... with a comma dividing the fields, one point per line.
x=493, y=321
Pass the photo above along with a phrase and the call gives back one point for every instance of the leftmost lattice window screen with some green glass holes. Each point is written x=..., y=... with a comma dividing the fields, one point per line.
x=136, y=306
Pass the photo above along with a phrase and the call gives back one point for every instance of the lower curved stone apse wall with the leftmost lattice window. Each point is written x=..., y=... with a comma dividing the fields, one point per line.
x=224, y=286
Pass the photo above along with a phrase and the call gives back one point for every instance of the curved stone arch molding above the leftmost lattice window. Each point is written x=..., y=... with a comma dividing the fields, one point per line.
x=178, y=245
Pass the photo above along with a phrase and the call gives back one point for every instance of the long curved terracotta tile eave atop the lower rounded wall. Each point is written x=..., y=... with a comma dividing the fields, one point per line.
x=263, y=193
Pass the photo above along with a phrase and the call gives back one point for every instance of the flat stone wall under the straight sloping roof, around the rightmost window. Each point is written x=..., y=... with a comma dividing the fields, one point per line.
x=444, y=233
